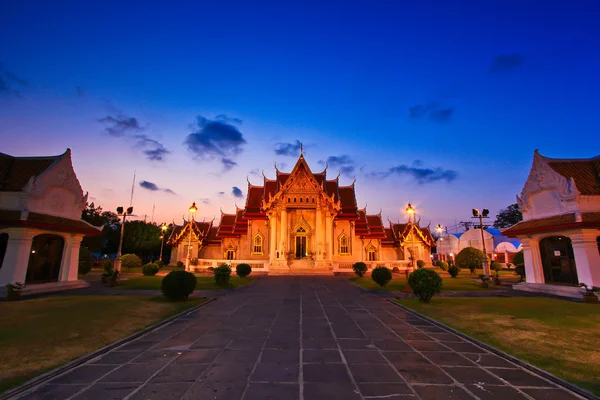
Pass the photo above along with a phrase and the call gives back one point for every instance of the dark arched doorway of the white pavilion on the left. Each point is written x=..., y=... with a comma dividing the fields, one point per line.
x=45, y=259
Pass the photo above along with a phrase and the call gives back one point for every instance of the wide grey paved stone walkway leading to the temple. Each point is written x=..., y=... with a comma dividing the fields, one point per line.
x=299, y=338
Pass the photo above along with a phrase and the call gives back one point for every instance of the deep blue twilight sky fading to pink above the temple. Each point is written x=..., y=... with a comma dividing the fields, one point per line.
x=436, y=103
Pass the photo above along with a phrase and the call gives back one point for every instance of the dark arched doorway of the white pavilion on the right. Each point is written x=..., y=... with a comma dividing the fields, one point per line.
x=558, y=260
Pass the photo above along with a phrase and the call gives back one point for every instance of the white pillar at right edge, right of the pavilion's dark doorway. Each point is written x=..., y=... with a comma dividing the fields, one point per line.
x=587, y=257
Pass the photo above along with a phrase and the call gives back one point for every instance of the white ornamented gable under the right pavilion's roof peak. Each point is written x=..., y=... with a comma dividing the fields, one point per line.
x=543, y=177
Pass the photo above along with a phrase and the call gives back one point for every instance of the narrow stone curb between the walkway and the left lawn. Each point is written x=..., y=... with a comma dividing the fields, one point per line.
x=83, y=359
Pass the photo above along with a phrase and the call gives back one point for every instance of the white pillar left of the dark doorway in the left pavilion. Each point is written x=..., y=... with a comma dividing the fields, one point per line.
x=16, y=259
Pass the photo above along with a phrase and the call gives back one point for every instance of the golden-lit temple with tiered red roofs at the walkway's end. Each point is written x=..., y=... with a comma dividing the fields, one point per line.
x=300, y=222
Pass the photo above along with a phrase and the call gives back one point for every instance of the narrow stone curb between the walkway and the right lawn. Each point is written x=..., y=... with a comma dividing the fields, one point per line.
x=559, y=381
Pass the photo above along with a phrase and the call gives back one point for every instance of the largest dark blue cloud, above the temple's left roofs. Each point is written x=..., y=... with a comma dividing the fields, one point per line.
x=217, y=138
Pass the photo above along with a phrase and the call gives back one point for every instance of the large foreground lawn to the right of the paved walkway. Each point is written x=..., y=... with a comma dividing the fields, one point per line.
x=558, y=336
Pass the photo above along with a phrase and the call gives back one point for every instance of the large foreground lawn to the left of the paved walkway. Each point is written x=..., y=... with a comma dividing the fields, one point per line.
x=38, y=335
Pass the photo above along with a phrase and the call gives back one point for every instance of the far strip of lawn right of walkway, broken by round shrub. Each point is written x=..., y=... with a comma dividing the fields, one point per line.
x=465, y=282
